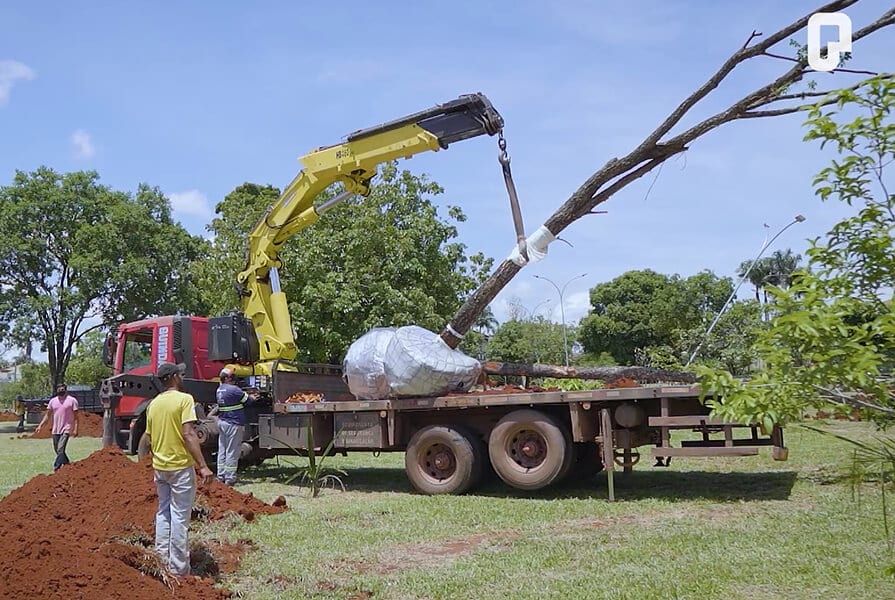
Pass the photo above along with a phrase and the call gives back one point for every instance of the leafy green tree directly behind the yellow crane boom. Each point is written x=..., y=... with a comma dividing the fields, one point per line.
x=387, y=259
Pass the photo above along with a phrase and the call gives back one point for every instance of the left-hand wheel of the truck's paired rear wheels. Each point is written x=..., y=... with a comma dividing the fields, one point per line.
x=443, y=460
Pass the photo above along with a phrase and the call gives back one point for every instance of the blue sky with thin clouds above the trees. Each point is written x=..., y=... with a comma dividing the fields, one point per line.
x=198, y=98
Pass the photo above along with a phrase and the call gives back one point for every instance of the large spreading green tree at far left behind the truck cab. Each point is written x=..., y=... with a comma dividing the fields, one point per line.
x=74, y=252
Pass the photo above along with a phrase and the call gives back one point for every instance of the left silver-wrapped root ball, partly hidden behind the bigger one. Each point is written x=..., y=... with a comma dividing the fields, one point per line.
x=364, y=368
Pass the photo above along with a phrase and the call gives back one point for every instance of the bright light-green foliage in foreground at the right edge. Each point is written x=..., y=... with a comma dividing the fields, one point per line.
x=832, y=340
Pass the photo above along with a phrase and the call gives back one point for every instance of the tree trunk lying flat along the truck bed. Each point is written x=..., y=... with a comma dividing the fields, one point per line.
x=608, y=374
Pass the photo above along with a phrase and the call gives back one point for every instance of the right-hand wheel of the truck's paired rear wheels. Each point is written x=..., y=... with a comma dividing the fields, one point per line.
x=529, y=450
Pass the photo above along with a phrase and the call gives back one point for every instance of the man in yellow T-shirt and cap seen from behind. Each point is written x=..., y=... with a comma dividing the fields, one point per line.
x=176, y=458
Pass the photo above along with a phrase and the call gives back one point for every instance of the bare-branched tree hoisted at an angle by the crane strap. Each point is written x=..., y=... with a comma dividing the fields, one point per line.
x=776, y=98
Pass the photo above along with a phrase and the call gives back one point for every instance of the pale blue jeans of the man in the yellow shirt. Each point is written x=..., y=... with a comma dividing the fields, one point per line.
x=176, y=492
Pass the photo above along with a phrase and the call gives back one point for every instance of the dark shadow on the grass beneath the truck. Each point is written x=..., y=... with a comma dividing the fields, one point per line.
x=666, y=485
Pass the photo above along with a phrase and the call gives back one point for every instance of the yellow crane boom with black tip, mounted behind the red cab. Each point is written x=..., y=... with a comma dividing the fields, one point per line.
x=354, y=164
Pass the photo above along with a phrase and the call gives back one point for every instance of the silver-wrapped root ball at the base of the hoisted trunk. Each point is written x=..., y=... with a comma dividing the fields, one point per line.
x=419, y=363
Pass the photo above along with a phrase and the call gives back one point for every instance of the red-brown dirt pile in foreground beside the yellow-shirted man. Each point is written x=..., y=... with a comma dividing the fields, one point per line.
x=65, y=534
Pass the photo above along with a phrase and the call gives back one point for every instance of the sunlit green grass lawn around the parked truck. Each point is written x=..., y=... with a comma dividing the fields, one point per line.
x=703, y=528
